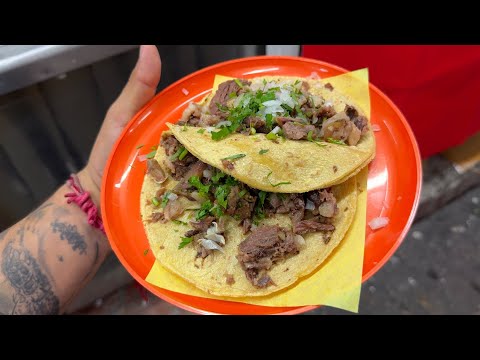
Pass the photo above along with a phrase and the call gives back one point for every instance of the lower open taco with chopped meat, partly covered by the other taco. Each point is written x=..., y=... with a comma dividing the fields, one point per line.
x=229, y=239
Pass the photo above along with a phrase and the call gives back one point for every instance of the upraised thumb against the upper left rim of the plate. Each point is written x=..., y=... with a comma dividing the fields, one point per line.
x=140, y=88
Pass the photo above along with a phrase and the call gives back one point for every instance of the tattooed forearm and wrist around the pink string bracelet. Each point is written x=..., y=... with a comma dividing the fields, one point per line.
x=48, y=256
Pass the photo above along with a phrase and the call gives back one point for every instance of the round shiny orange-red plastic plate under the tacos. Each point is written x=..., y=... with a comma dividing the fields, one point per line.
x=394, y=180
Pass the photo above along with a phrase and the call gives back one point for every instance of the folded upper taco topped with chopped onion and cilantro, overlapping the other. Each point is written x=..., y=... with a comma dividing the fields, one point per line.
x=300, y=130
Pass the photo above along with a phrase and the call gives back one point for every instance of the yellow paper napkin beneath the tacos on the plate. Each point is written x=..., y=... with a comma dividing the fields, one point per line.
x=337, y=282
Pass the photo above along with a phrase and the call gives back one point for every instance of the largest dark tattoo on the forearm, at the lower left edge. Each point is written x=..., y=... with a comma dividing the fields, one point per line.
x=33, y=291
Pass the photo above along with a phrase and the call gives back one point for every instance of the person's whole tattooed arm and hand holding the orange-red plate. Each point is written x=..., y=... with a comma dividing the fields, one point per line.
x=47, y=257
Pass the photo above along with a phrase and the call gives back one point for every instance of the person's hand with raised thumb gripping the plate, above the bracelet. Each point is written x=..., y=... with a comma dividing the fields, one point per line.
x=139, y=89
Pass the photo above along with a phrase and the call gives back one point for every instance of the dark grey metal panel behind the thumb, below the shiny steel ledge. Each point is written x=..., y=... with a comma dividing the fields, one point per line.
x=47, y=129
